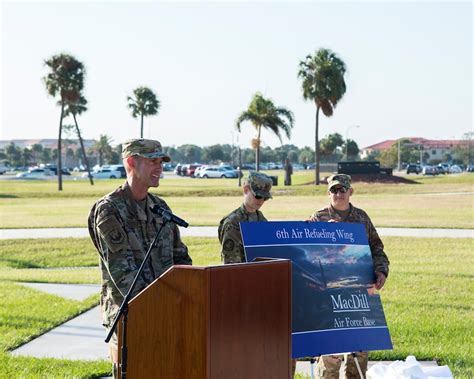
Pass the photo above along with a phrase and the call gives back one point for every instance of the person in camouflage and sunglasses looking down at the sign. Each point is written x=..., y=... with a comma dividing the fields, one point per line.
x=256, y=189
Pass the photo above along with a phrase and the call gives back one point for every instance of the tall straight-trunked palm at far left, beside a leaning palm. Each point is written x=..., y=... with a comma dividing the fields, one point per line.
x=65, y=79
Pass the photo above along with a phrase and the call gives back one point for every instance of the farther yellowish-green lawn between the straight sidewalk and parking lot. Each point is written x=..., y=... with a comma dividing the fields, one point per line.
x=430, y=203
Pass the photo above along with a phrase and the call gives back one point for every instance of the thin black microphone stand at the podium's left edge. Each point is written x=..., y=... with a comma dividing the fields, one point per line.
x=123, y=310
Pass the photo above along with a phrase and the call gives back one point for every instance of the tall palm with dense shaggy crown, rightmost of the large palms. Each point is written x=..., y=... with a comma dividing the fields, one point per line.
x=323, y=82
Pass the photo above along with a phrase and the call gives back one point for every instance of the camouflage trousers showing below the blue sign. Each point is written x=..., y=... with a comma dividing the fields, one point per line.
x=328, y=366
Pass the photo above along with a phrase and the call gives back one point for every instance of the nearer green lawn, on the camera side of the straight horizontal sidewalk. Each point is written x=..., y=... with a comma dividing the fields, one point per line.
x=428, y=300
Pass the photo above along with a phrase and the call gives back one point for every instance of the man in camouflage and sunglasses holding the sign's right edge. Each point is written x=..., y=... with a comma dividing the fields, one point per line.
x=341, y=210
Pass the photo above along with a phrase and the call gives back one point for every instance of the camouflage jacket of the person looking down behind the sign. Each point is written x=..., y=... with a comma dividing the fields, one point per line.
x=229, y=234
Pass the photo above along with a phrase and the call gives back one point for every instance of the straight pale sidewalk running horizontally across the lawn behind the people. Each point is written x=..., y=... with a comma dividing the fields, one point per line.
x=211, y=231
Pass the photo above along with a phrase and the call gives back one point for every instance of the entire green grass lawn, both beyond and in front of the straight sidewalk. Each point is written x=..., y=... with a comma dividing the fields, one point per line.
x=428, y=297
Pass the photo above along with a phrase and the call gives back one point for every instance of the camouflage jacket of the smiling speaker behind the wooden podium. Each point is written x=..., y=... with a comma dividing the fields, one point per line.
x=122, y=231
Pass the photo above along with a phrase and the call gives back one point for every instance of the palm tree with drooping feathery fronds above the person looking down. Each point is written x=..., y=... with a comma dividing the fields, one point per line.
x=263, y=113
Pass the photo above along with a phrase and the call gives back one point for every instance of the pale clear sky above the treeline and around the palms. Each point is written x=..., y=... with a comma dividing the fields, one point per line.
x=409, y=67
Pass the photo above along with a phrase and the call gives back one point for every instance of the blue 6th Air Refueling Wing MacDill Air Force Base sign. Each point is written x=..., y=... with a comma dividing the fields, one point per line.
x=335, y=306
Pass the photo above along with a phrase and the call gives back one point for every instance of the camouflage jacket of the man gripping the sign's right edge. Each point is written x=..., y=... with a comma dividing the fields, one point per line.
x=357, y=215
